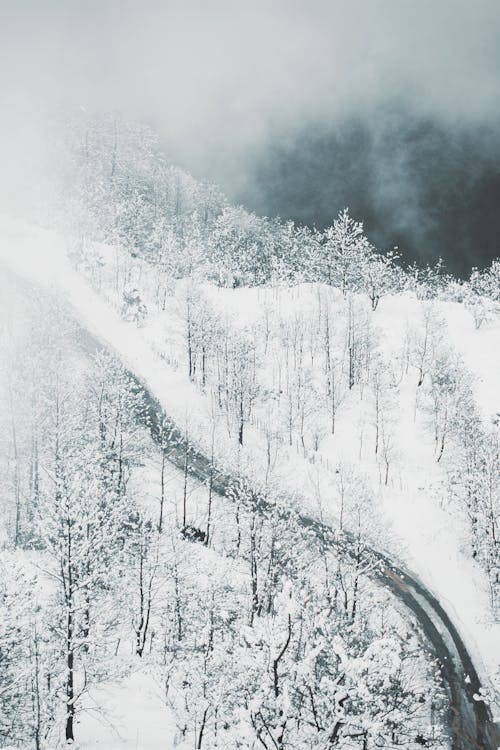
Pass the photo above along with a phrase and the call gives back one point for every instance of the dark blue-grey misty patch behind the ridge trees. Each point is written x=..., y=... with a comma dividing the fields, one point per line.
x=417, y=184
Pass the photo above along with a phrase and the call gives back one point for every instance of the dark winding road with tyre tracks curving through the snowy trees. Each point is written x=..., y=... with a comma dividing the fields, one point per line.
x=470, y=724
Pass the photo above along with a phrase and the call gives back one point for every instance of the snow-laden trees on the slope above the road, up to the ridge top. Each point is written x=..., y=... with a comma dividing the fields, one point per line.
x=180, y=228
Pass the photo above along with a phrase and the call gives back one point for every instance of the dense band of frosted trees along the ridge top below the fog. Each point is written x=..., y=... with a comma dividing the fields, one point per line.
x=119, y=188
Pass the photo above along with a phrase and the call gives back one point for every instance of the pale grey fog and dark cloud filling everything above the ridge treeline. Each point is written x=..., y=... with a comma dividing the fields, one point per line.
x=388, y=106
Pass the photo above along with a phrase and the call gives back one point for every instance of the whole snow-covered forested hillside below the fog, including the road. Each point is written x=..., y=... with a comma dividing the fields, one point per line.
x=250, y=483
